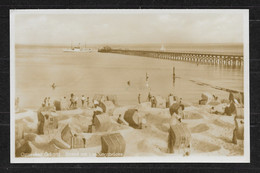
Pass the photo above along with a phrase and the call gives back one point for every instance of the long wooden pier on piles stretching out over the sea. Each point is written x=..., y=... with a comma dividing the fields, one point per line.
x=199, y=58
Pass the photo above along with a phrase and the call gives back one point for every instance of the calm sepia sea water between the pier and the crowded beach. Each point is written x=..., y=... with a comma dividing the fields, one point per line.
x=90, y=73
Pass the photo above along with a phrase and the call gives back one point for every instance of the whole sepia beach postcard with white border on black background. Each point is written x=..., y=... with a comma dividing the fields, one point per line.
x=129, y=86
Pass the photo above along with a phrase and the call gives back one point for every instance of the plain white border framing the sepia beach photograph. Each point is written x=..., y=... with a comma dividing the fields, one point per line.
x=154, y=159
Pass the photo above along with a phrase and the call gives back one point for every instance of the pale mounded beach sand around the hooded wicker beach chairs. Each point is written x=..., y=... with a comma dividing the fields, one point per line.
x=211, y=134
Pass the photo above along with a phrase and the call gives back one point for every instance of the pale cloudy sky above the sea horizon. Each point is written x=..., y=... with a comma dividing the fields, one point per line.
x=62, y=29
